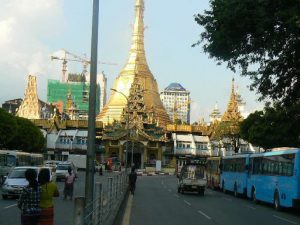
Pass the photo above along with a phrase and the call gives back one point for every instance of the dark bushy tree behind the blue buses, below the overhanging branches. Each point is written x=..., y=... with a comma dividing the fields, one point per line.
x=274, y=127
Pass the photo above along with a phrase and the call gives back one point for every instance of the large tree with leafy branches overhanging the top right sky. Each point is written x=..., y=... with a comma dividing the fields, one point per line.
x=260, y=37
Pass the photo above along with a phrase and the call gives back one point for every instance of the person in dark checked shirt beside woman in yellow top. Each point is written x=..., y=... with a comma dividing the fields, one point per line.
x=29, y=202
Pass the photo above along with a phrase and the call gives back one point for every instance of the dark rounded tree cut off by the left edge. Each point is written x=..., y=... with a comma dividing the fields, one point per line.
x=8, y=128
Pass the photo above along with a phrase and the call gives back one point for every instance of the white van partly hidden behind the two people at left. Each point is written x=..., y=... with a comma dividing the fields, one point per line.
x=16, y=181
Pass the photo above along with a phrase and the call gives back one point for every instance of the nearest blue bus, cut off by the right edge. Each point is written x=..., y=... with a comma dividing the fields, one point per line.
x=274, y=177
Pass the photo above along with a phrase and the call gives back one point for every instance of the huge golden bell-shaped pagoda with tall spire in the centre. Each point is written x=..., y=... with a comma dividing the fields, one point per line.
x=135, y=69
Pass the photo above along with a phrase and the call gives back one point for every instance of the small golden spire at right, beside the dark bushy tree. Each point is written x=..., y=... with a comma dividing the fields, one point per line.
x=232, y=112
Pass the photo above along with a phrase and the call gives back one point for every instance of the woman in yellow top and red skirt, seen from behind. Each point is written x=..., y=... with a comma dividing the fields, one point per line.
x=49, y=190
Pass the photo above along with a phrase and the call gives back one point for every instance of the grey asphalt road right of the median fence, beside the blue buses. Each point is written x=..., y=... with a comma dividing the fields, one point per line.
x=156, y=202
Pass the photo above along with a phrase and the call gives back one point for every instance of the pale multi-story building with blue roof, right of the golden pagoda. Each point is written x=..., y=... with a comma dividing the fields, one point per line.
x=176, y=101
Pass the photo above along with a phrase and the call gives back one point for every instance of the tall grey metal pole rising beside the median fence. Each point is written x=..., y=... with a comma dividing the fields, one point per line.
x=89, y=178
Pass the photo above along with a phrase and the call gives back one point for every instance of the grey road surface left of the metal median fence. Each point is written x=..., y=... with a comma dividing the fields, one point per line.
x=10, y=214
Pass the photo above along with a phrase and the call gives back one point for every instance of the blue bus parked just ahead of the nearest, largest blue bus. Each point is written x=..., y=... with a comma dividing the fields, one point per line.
x=234, y=173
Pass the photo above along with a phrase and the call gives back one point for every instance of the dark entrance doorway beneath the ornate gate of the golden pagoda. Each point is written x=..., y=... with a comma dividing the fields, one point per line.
x=135, y=154
